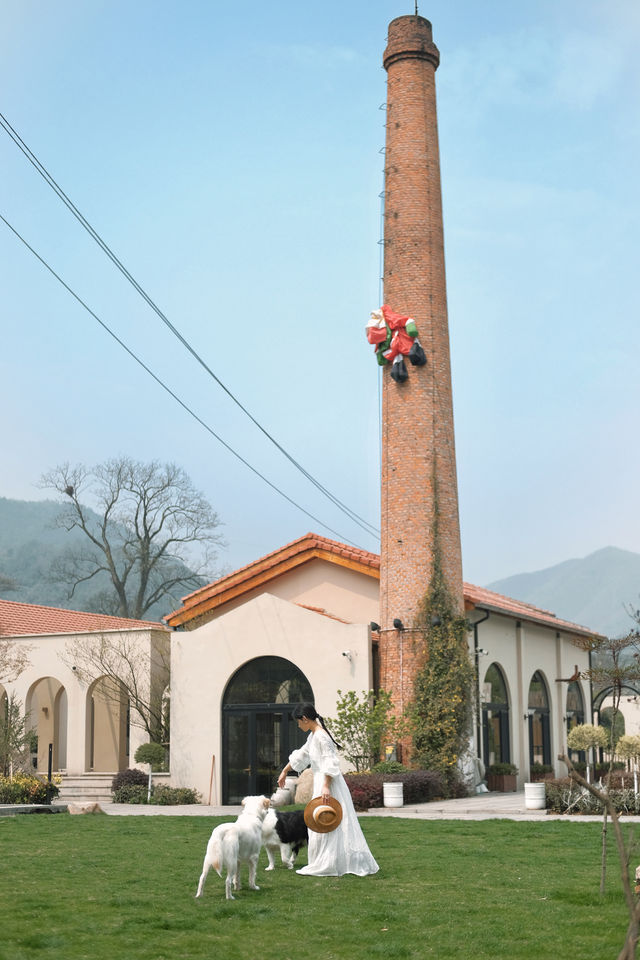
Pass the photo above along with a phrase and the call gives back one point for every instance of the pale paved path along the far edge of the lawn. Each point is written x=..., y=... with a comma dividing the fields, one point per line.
x=485, y=806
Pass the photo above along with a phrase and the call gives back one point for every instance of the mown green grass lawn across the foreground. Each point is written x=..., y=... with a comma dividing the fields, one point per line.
x=99, y=887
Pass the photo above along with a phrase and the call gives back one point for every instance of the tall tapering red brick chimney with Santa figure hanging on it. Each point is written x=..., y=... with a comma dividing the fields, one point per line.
x=418, y=448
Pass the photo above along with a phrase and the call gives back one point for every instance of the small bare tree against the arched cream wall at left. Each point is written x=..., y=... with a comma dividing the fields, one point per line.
x=125, y=663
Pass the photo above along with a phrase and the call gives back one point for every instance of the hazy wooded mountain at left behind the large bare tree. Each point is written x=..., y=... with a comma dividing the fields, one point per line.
x=30, y=542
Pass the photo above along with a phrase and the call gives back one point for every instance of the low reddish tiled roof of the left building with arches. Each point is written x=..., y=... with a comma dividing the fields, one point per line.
x=29, y=619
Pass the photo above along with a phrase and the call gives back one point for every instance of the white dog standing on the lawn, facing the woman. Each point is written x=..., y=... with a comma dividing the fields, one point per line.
x=232, y=844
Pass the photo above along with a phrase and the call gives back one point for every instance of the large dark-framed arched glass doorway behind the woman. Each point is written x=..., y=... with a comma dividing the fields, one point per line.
x=258, y=729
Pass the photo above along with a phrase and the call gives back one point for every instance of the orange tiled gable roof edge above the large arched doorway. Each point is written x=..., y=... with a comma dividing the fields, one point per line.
x=255, y=574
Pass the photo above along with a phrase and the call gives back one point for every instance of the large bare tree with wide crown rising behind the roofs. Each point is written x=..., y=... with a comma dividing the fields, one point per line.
x=147, y=528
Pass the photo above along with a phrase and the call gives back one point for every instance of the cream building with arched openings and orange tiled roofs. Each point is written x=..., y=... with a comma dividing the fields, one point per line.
x=299, y=624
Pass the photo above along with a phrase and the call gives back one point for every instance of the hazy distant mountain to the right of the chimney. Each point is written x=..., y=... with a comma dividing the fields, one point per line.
x=593, y=591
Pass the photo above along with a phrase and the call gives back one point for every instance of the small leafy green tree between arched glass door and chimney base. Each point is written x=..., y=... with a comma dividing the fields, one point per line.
x=361, y=724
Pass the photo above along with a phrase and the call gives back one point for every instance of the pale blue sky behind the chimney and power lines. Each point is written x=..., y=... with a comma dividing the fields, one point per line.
x=230, y=156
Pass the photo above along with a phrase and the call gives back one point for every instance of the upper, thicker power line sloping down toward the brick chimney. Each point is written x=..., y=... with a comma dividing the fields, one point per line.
x=41, y=169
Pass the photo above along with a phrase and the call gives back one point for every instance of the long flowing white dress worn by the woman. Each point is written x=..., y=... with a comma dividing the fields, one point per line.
x=343, y=850
